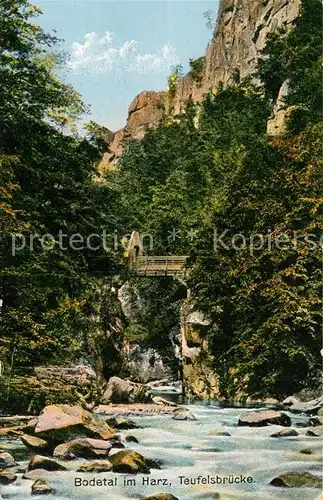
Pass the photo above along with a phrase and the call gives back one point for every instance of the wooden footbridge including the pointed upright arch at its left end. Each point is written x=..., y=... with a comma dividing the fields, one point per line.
x=147, y=265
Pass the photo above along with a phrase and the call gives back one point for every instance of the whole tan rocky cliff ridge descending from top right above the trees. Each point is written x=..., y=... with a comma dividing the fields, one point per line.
x=239, y=36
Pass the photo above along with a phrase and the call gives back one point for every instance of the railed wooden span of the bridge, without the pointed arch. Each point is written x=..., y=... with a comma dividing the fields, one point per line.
x=168, y=265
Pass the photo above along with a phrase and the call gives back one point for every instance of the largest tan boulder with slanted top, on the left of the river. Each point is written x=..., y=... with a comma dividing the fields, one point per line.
x=60, y=423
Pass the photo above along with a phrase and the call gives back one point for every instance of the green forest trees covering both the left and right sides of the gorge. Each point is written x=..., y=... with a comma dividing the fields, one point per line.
x=246, y=208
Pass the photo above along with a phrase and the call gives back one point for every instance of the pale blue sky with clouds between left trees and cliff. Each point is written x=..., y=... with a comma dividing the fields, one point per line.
x=120, y=48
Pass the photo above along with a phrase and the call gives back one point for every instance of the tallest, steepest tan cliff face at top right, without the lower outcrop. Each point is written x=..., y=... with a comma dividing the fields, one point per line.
x=239, y=37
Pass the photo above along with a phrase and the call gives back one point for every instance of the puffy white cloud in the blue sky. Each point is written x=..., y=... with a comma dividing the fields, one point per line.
x=100, y=55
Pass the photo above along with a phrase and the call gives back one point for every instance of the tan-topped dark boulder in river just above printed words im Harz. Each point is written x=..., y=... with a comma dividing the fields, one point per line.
x=131, y=462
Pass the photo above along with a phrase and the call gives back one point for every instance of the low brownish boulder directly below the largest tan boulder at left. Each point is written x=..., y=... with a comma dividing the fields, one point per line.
x=83, y=448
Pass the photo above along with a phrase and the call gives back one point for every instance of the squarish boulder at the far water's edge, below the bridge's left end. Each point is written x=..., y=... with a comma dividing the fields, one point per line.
x=124, y=391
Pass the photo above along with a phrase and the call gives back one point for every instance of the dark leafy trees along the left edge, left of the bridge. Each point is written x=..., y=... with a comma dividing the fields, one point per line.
x=48, y=183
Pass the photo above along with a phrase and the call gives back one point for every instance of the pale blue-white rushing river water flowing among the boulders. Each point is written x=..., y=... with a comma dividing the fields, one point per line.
x=187, y=450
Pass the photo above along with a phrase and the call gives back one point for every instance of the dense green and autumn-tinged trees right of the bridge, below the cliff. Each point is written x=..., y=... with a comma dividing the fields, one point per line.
x=214, y=171
